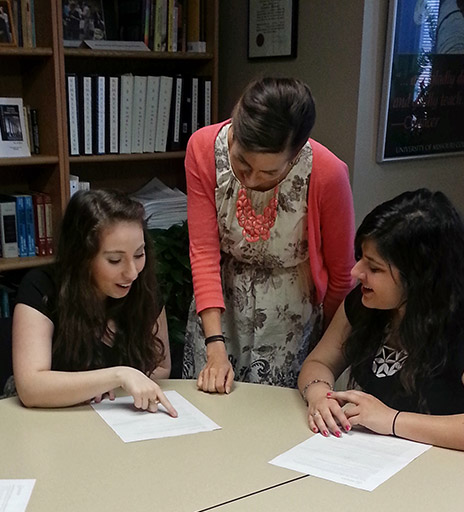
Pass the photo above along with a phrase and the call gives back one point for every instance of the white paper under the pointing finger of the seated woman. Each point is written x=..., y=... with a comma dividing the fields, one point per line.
x=133, y=425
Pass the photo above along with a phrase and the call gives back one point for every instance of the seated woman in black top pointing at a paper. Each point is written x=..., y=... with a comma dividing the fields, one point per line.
x=91, y=322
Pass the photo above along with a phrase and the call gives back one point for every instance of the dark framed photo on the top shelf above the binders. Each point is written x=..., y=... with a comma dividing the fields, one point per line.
x=82, y=20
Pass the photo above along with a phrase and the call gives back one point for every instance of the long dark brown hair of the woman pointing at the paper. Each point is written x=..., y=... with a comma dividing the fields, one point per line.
x=82, y=318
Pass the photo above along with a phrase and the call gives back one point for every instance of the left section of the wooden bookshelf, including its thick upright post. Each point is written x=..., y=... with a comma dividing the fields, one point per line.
x=35, y=75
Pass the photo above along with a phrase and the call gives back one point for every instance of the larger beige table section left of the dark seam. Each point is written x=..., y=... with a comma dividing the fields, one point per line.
x=81, y=465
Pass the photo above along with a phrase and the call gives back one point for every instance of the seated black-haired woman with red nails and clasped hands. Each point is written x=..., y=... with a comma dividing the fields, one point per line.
x=401, y=331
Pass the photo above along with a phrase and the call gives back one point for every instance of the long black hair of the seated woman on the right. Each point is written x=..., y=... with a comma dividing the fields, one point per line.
x=422, y=235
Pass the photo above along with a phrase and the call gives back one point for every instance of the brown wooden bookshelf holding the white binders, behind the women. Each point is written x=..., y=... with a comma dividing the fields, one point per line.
x=38, y=76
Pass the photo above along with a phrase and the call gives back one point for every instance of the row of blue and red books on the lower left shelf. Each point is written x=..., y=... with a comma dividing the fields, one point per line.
x=26, y=227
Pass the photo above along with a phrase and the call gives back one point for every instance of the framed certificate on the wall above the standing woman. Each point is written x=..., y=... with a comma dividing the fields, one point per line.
x=272, y=28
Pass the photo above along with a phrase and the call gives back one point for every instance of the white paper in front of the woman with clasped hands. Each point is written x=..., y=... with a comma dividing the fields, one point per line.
x=359, y=459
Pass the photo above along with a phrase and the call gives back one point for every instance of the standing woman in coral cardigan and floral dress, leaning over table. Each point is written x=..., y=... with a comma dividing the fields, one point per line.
x=271, y=227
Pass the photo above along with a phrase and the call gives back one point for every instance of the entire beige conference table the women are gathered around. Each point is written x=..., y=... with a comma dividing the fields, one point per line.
x=80, y=464
